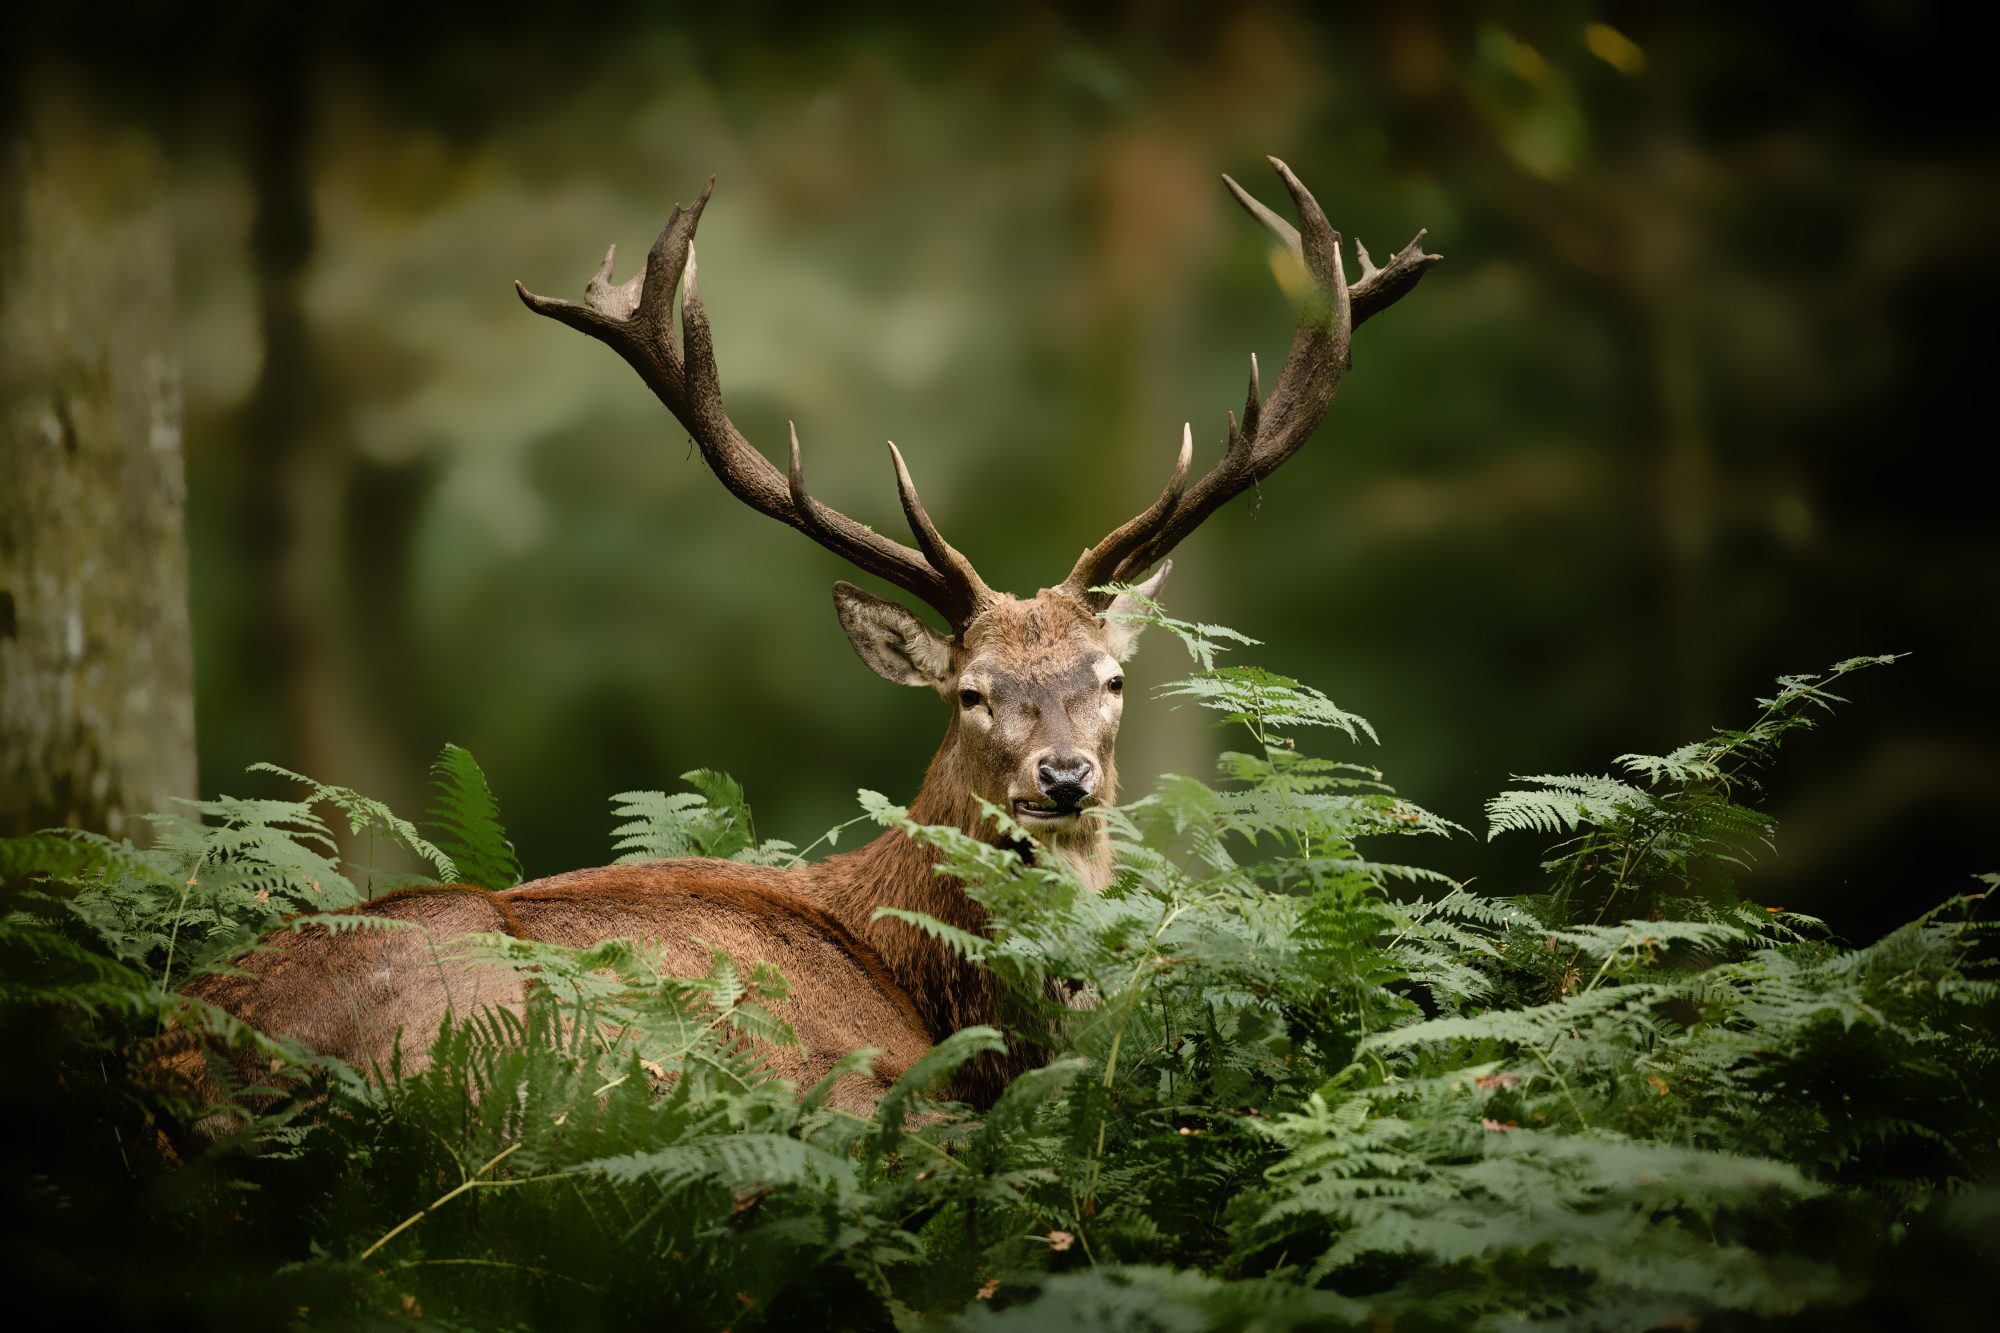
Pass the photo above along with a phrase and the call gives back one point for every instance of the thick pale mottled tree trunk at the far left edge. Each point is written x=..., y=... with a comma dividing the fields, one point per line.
x=97, y=674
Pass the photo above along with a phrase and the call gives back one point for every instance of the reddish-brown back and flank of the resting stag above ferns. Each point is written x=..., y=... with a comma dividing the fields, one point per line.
x=365, y=994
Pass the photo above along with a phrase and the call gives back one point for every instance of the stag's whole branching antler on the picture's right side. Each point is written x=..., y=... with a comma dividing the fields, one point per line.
x=1271, y=429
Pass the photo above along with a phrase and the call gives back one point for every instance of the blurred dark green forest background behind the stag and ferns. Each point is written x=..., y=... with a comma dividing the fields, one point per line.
x=1695, y=399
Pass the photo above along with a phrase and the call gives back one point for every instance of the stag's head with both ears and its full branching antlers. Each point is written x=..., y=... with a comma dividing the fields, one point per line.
x=1035, y=686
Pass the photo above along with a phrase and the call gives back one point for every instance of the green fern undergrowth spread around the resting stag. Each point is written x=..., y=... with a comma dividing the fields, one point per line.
x=1277, y=1076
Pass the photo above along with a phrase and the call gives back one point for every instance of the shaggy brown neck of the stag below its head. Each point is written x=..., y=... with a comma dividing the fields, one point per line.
x=897, y=872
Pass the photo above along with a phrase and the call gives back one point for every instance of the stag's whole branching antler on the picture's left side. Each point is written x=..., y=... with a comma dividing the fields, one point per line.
x=637, y=321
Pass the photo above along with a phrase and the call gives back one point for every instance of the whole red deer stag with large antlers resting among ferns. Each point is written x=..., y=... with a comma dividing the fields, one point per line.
x=1033, y=690
